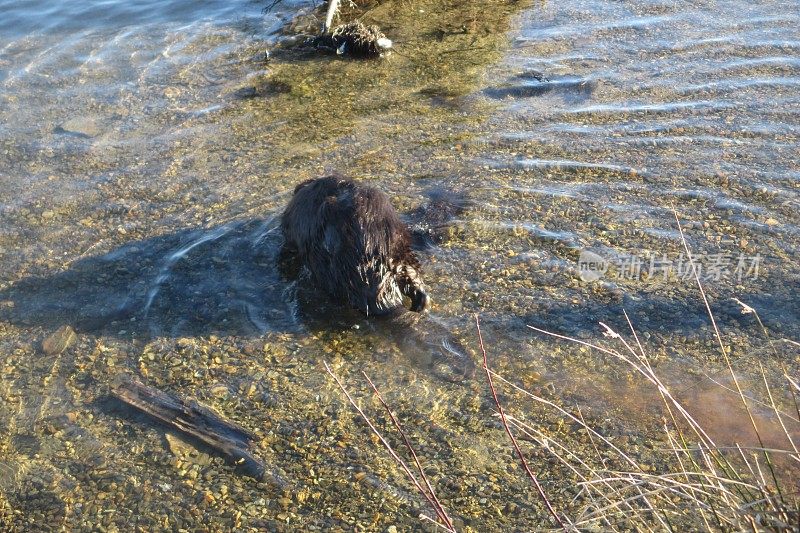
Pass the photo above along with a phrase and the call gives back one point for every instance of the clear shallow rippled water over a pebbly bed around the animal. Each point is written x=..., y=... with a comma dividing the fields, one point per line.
x=147, y=149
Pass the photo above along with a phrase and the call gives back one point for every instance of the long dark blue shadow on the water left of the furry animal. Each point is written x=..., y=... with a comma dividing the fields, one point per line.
x=222, y=280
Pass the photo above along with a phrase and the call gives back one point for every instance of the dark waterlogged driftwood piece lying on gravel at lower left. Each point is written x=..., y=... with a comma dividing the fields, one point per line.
x=193, y=419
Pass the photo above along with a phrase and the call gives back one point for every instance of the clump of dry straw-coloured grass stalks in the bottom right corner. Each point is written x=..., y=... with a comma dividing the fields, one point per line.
x=729, y=488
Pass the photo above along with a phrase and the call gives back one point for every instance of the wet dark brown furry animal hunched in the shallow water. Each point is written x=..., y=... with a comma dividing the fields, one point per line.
x=355, y=246
